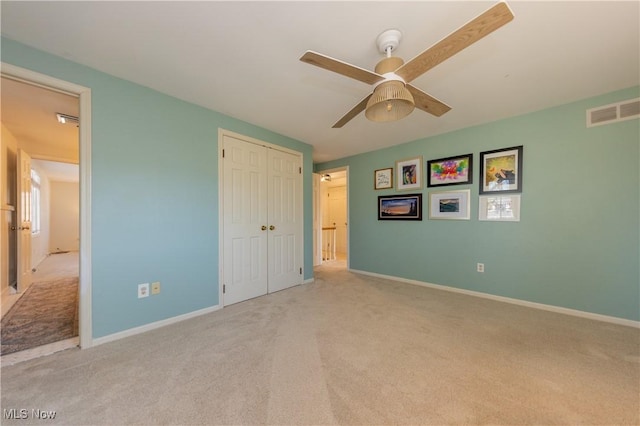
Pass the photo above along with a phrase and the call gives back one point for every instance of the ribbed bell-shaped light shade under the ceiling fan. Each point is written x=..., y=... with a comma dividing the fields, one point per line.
x=390, y=101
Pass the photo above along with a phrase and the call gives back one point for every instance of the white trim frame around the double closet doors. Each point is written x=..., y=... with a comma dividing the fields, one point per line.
x=221, y=134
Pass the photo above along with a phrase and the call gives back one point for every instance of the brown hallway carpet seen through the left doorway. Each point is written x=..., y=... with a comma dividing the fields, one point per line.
x=46, y=313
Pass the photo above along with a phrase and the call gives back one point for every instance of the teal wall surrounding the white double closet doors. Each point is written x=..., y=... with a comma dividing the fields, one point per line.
x=154, y=193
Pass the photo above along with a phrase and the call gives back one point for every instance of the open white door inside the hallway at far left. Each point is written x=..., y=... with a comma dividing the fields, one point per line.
x=23, y=213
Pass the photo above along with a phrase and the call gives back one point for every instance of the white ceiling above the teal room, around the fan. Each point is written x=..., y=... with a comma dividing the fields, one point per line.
x=242, y=58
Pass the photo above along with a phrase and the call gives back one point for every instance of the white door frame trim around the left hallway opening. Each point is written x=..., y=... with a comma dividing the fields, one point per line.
x=84, y=96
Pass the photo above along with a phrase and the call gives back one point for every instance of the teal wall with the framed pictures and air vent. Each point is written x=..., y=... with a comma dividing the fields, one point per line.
x=577, y=243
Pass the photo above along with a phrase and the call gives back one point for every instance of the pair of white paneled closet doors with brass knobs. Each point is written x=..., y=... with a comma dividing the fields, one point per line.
x=262, y=219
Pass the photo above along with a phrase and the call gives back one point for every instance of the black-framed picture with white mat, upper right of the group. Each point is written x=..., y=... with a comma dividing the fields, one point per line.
x=501, y=170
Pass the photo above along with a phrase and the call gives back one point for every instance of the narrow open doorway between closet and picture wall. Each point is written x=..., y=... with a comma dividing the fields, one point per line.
x=333, y=211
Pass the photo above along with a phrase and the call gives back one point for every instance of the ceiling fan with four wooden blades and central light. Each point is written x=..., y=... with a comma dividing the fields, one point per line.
x=393, y=97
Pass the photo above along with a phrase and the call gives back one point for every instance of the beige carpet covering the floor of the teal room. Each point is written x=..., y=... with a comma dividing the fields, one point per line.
x=347, y=349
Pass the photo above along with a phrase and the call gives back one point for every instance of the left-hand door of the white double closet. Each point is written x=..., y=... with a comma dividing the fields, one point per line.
x=244, y=230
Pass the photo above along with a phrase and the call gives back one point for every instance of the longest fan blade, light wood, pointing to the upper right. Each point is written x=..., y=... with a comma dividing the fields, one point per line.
x=465, y=36
